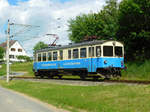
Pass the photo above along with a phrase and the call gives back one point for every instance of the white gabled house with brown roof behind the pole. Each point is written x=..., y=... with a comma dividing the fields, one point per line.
x=15, y=49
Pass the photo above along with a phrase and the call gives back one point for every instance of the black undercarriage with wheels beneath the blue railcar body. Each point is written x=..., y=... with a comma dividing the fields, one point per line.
x=105, y=73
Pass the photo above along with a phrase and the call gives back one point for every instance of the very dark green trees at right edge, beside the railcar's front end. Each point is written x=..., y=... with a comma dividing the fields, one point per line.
x=134, y=28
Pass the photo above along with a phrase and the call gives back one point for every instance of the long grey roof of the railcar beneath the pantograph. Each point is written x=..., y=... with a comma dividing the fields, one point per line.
x=72, y=45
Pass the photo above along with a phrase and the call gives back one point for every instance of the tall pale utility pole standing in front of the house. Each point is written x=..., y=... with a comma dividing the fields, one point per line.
x=8, y=36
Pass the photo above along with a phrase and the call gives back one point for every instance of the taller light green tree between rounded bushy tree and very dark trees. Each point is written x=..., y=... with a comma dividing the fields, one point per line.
x=108, y=19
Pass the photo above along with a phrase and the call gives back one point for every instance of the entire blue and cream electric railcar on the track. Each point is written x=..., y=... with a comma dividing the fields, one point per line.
x=99, y=58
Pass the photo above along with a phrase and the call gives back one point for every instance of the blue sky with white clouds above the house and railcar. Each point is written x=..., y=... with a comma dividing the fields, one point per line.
x=50, y=15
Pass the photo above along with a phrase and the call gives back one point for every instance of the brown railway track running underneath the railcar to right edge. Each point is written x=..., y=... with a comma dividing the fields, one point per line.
x=144, y=82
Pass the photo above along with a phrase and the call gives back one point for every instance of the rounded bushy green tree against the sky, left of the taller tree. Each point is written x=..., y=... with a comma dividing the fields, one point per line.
x=81, y=26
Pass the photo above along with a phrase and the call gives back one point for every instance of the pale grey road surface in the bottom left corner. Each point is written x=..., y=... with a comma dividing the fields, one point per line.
x=11, y=101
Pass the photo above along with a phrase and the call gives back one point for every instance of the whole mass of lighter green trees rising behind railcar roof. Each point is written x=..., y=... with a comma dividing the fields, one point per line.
x=103, y=24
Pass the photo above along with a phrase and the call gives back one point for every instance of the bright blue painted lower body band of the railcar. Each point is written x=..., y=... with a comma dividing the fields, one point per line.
x=91, y=64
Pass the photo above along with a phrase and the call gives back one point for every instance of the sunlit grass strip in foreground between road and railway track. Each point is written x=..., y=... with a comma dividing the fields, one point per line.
x=101, y=98
